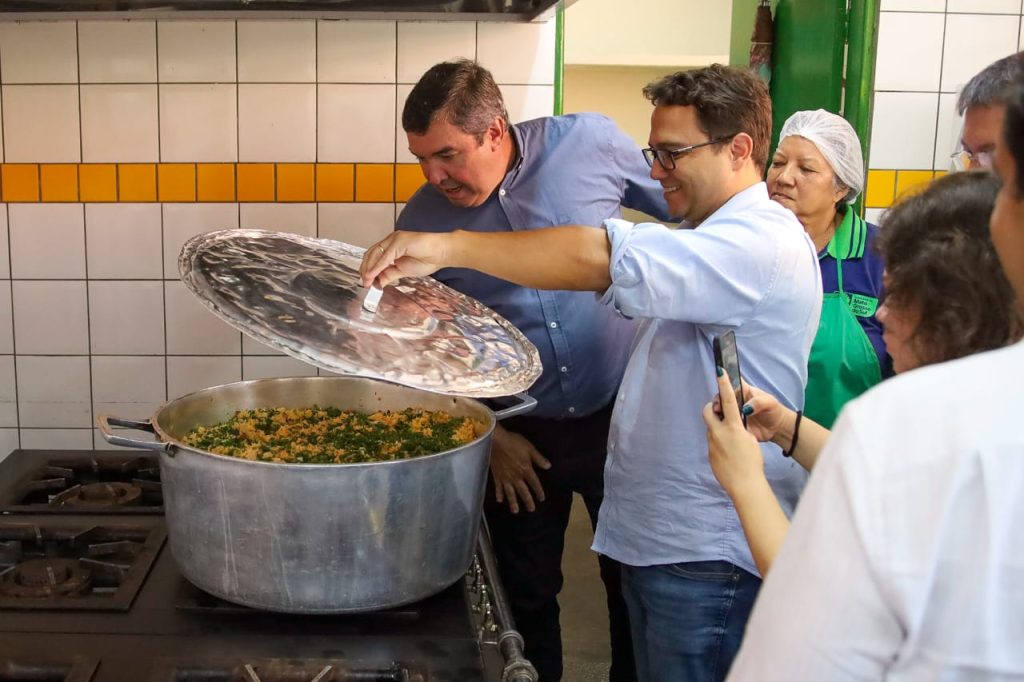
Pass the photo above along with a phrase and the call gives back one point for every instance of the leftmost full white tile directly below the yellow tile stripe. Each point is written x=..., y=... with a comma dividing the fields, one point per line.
x=48, y=241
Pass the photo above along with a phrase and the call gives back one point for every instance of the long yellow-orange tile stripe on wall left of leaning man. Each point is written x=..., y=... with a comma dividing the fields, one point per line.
x=208, y=183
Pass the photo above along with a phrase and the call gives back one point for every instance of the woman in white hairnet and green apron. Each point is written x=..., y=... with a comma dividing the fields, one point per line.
x=818, y=173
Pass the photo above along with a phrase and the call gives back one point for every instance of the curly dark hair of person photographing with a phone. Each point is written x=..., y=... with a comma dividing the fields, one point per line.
x=941, y=263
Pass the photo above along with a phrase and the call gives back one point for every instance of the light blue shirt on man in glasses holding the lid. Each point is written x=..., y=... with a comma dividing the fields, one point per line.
x=749, y=268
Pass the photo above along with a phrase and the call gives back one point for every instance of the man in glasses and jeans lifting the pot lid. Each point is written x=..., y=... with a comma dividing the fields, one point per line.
x=739, y=263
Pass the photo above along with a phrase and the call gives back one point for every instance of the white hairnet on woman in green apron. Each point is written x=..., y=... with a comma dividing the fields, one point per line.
x=838, y=143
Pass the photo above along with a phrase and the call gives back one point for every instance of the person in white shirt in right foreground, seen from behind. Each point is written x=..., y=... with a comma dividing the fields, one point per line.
x=905, y=561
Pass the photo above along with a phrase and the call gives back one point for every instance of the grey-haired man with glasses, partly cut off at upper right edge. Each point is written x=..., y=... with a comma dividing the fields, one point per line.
x=983, y=104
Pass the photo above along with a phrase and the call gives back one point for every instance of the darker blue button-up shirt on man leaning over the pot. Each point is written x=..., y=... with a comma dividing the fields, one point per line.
x=575, y=169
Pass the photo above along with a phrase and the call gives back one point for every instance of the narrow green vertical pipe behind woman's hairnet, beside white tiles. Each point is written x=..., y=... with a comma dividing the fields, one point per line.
x=864, y=42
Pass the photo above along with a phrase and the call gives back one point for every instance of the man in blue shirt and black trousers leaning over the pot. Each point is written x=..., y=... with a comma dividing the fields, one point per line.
x=488, y=176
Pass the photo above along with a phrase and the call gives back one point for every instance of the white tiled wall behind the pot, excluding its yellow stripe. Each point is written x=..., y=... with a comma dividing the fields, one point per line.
x=90, y=297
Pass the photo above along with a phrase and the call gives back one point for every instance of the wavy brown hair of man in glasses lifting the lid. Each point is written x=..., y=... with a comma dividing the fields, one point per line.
x=729, y=101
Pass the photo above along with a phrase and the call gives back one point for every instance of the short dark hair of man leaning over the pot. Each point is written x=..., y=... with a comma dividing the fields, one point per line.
x=461, y=93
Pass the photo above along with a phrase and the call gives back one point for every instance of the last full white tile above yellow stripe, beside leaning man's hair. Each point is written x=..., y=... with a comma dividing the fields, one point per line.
x=357, y=123
